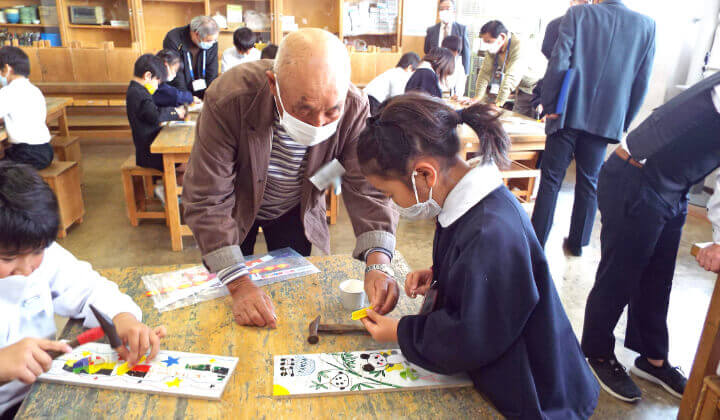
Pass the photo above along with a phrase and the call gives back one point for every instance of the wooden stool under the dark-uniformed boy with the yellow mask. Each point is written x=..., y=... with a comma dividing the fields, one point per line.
x=138, y=187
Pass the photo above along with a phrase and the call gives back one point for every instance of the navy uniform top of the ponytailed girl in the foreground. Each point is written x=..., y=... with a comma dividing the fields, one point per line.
x=499, y=318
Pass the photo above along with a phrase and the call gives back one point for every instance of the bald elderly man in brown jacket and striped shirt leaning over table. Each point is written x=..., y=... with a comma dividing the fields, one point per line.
x=264, y=131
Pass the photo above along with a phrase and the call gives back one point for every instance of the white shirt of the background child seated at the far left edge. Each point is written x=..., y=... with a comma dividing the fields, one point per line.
x=22, y=107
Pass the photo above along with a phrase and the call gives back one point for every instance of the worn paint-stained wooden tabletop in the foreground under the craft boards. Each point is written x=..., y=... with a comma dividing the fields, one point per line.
x=208, y=328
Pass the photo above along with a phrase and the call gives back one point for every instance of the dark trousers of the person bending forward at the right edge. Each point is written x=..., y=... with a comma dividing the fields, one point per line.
x=640, y=237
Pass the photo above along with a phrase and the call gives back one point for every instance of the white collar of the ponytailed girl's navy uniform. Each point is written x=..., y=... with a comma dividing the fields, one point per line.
x=470, y=190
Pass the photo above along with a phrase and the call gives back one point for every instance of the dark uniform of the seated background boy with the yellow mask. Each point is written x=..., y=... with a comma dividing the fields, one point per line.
x=145, y=118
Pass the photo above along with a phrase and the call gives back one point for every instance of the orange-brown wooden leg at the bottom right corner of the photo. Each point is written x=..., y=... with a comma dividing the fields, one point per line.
x=706, y=357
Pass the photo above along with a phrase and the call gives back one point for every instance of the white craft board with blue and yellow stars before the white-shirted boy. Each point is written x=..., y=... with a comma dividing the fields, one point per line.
x=173, y=373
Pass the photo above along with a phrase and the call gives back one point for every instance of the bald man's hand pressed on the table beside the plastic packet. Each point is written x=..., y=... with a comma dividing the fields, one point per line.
x=251, y=306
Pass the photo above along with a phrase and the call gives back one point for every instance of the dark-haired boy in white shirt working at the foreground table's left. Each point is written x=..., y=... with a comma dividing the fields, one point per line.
x=40, y=279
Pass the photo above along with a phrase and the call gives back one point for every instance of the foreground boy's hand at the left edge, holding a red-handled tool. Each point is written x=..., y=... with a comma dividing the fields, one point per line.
x=27, y=359
